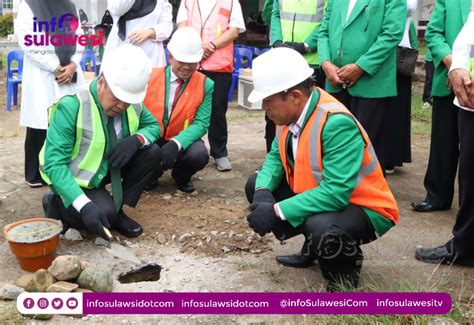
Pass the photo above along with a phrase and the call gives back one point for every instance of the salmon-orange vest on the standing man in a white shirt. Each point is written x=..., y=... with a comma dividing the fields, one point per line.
x=211, y=29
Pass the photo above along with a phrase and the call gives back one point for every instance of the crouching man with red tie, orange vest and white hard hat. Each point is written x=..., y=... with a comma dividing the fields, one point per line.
x=180, y=98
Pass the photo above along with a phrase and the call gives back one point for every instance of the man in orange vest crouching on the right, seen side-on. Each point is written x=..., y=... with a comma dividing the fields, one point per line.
x=321, y=178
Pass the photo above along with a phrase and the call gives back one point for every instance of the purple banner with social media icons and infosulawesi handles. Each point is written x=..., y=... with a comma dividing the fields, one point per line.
x=235, y=303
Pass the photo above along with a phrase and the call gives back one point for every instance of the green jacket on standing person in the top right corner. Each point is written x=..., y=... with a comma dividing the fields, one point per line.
x=446, y=22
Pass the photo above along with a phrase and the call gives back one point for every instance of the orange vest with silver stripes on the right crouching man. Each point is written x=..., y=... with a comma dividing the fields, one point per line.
x=371, y=190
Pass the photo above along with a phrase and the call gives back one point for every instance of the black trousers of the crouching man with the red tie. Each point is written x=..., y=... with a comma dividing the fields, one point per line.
x=188, y=163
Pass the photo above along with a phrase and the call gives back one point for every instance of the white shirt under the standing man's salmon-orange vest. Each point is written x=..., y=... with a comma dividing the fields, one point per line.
x=206, y=7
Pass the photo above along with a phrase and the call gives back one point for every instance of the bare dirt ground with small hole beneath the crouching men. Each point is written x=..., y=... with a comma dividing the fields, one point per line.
x=204, y=244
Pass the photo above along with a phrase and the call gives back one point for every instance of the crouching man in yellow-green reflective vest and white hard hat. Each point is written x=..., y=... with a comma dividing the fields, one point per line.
x=99, y=136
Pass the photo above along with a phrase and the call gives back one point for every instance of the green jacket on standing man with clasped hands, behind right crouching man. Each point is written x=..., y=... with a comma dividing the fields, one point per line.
x=368, y=39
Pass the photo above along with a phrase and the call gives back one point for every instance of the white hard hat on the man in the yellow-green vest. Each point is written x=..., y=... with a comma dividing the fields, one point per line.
x=127, y=71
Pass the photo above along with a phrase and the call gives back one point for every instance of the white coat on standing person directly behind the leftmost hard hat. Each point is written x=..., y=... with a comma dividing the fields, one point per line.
x=160, y=19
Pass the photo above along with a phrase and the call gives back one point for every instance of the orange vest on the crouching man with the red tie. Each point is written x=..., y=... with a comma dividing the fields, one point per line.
x=186, y=107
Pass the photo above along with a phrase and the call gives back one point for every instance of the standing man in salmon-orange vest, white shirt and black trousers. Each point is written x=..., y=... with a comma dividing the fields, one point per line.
x=219, y=22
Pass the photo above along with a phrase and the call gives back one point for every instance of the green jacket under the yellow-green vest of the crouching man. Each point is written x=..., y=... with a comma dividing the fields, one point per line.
x=60, y=140
